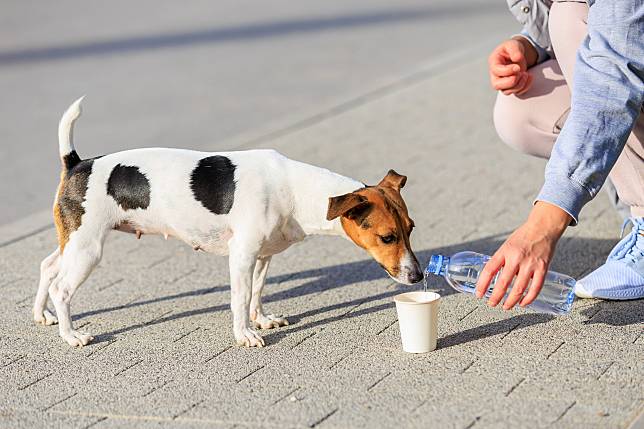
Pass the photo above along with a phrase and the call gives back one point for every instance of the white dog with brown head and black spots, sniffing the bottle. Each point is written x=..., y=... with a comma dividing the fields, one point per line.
x=249, y=205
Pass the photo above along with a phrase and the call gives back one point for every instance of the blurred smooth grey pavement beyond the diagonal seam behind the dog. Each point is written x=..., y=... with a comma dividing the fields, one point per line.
x=204, y=75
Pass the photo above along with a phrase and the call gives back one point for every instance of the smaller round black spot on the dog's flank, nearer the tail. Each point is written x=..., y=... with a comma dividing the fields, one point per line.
x=129, y=187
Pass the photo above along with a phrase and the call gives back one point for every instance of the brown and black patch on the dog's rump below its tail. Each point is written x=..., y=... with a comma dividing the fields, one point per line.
x=72, y=195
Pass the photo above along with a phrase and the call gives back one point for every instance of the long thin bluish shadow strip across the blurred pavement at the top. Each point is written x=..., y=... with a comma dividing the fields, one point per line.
x=237, y=33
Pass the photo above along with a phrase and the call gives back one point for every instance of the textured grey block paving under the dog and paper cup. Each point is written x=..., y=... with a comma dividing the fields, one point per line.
x=159, y=311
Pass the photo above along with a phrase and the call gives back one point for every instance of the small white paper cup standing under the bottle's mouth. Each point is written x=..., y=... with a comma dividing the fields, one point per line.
x=418, y=320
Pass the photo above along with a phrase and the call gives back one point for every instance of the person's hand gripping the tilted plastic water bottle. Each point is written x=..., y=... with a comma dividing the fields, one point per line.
x=526, y=254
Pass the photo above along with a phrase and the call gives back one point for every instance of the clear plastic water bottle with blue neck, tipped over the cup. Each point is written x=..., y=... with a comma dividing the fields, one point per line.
x=462, y=270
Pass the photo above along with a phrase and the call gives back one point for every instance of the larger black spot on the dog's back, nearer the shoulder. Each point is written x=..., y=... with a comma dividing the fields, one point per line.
x=213, y=183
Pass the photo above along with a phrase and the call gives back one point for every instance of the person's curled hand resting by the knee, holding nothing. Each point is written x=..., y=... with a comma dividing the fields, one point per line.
x=508, y=65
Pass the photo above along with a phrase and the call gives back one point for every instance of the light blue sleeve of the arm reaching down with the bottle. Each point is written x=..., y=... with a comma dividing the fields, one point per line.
x=607, y=97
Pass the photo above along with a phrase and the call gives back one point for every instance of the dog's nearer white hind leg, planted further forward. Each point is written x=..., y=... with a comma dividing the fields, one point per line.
x=79, y=258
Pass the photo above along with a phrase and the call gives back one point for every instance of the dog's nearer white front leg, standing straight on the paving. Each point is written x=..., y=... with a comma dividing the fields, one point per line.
x=242, y=264
